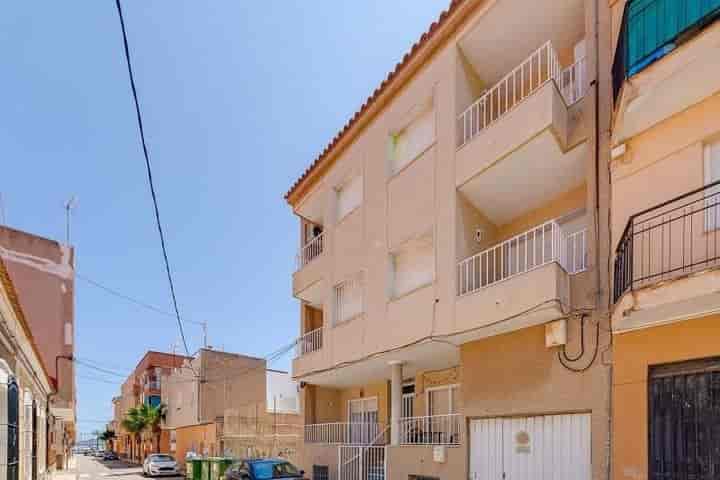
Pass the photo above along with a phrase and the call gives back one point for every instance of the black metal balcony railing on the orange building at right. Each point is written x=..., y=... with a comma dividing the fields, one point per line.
x=675, y=238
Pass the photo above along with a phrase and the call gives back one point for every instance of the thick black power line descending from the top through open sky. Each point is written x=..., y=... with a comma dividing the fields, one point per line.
x=149, y=174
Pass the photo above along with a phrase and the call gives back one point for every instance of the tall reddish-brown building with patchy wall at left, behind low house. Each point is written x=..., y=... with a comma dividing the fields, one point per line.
x=43, y=274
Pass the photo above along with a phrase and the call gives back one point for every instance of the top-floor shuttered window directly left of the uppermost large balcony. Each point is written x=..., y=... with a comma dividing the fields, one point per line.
x=410, y=142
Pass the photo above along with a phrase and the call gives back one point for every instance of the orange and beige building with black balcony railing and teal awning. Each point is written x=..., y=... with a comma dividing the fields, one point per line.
x=665, y=211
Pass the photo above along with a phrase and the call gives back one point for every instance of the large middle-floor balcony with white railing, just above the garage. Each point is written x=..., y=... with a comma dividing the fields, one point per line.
x=520, y=282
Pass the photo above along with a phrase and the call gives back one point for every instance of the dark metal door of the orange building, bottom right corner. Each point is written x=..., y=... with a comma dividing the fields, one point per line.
x=684, y=402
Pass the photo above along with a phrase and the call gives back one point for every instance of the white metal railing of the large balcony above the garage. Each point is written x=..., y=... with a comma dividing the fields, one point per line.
x=529, y=250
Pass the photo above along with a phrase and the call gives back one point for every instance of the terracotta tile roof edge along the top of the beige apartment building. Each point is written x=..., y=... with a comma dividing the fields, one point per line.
x=424, y=38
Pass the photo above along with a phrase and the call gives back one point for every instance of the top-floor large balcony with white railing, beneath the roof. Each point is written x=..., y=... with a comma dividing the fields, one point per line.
x=524, y=131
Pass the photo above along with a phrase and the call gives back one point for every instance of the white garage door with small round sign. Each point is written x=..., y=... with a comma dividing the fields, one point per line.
x=548, y=447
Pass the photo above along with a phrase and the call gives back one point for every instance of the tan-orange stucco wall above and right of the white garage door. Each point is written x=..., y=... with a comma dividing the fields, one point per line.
x=516, y=375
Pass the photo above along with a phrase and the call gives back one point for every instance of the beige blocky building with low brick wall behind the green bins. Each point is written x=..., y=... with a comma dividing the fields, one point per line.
x=222, y=403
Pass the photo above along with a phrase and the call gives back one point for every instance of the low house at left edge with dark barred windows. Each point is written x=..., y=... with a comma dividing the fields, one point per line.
x=25, y=387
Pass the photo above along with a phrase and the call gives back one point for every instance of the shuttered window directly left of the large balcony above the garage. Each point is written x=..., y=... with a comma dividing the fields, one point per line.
x=413, y=266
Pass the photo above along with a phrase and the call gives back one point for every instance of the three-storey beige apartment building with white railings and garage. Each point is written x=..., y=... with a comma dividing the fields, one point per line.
x=453, y=262
